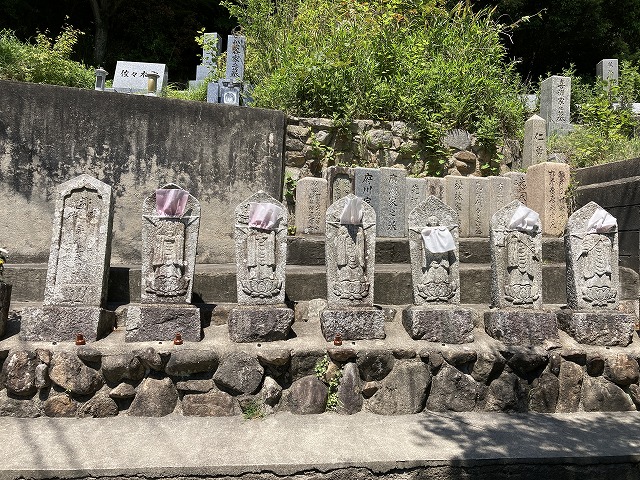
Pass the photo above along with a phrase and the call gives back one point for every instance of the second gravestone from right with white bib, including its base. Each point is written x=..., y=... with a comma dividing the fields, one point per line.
x=516, y=279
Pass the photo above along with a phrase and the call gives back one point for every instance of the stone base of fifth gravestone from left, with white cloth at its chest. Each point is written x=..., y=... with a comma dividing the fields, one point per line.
x=441, y=323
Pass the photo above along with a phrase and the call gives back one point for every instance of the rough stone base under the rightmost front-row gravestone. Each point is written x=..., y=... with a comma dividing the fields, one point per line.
x=605, y=328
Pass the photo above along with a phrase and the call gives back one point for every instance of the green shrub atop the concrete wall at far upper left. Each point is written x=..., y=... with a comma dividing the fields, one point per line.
x=44, y=61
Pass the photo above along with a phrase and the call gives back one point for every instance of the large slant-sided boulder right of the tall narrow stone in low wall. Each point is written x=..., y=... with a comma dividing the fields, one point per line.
x=403, y=391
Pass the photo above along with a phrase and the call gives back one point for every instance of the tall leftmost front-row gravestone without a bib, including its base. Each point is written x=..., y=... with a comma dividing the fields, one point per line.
x=78, y=266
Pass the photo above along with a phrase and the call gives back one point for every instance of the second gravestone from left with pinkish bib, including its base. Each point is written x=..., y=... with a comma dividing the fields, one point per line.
x=170, y=226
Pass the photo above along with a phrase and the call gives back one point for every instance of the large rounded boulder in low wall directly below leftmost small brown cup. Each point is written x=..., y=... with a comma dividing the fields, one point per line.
x=69, y=373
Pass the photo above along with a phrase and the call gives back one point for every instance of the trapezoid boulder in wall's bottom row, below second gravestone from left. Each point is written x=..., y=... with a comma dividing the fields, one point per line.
x=154, y=398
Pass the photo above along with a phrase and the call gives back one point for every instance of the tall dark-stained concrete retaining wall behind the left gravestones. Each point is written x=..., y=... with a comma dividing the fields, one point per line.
x=49, y=134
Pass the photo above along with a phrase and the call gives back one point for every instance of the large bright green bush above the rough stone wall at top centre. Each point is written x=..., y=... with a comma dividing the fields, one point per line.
x=416, y=61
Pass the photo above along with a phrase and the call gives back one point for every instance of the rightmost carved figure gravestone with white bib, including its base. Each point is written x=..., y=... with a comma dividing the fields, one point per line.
x=591, y=244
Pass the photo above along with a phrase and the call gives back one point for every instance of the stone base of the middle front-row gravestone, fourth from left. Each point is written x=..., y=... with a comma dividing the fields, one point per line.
x=360, y=323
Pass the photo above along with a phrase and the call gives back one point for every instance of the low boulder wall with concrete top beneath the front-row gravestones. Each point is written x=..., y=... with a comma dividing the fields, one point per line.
x=305, y=375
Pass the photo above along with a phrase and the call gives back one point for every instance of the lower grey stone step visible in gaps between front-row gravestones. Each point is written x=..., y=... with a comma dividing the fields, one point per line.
x=216, y=283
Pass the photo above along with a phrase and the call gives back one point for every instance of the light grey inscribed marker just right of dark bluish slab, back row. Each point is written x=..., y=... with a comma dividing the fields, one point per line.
x=391, y=214
